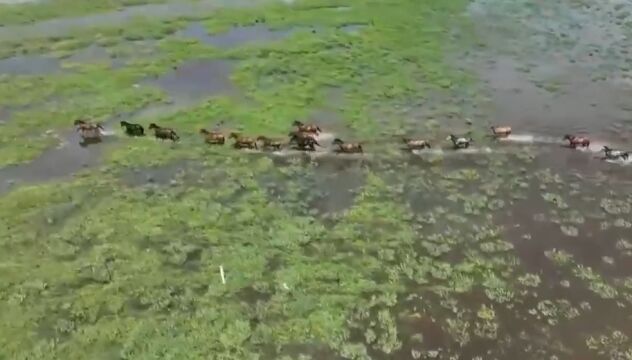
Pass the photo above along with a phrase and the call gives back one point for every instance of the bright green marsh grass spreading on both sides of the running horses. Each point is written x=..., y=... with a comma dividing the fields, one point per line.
x=424, y=262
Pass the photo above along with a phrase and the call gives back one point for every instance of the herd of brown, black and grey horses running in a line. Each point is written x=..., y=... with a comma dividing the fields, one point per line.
x=304, y=137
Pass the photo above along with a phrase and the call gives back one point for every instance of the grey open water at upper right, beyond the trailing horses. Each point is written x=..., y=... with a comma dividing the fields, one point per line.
x=566, y=72
